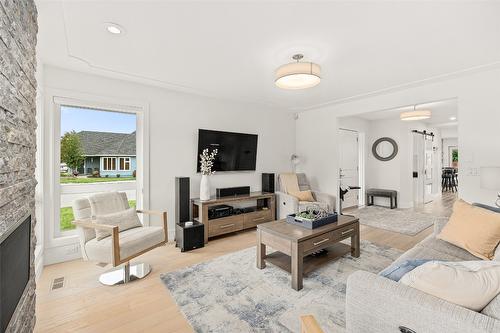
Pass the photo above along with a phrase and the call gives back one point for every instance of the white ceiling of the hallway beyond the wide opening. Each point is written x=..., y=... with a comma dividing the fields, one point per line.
x=442, y=111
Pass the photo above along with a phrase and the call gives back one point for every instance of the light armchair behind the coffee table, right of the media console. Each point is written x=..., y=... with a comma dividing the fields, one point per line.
x=289, y=204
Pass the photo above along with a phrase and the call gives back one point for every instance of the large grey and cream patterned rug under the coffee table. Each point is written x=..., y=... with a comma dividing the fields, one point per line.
x=229, y=294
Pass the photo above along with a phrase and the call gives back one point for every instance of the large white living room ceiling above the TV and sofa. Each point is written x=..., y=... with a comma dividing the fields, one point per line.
x=230, y=49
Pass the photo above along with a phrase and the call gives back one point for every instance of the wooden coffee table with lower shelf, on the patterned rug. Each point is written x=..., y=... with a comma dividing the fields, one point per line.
x=294, y=244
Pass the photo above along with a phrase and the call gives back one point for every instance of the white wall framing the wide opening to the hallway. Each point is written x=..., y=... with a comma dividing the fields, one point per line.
x=478, y=113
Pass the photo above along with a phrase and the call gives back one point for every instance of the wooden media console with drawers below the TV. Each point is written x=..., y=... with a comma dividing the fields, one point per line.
x=263, y=211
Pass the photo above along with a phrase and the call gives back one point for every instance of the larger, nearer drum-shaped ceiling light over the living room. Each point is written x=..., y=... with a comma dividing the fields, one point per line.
x=298, y=75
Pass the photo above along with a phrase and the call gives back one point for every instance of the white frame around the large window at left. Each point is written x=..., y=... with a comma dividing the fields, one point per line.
x=55, y=98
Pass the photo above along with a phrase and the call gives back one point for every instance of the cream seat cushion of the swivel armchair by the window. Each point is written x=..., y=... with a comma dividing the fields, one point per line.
x=131, y=241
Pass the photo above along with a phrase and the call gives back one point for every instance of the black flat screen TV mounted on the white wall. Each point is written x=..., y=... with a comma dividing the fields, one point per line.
x=236, y=151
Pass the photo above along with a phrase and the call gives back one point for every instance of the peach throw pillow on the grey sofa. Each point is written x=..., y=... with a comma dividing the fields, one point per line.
x=474, y=229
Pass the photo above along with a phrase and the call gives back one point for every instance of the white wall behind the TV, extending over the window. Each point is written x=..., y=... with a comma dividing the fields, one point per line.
x=174, y=122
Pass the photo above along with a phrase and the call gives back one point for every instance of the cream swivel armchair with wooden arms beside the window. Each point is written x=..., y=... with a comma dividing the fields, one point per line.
x=122, y=246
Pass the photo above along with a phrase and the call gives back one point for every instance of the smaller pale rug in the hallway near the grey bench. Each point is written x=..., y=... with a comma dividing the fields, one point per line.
x=403, y=221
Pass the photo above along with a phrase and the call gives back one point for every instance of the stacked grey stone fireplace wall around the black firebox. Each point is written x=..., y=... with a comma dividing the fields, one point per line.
x=18, y=29
